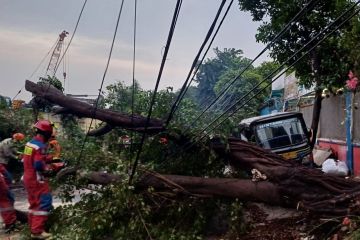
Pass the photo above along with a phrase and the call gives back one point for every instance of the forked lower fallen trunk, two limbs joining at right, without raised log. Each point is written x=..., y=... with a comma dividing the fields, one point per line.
x=287, y=183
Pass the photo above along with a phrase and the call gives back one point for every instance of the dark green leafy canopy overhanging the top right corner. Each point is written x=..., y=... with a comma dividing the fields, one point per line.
x=328, y=64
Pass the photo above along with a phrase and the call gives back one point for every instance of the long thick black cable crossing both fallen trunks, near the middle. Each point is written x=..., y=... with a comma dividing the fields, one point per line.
x=171, y=32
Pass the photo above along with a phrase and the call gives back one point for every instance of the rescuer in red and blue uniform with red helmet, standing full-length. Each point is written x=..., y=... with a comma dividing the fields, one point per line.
x=36, y=184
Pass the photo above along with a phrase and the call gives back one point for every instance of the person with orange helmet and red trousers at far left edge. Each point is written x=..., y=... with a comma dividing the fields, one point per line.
x=8, y=152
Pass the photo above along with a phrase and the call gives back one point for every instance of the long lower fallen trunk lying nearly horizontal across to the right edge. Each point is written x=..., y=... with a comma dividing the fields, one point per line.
x=310, y=195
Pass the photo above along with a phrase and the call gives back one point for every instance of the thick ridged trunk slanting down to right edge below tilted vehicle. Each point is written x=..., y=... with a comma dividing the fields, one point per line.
x=301, y=187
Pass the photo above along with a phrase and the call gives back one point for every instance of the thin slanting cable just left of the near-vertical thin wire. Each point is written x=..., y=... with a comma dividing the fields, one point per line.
x=102, y=83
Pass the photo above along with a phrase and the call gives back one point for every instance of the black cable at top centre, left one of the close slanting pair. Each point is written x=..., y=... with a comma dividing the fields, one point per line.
x=195, y=62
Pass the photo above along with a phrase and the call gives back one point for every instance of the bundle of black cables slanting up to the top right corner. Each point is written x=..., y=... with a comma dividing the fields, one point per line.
x=184, y=148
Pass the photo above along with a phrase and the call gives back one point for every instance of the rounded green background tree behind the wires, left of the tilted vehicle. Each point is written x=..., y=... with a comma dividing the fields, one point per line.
x=217, y=73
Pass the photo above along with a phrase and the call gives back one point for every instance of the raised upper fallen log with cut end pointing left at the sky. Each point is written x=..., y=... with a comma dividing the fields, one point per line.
x=82, y=109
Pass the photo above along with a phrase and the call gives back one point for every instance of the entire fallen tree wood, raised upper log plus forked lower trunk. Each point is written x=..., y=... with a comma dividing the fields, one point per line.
x=287, y=183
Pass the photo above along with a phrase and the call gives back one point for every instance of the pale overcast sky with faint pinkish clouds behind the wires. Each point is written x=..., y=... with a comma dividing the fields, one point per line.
x=28, y=29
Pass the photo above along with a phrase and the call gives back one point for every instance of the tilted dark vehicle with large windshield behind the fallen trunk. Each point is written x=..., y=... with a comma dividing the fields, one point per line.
x=283, y=133
